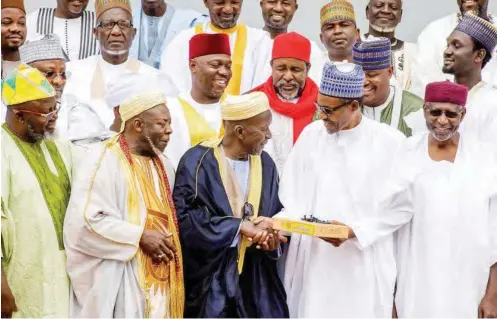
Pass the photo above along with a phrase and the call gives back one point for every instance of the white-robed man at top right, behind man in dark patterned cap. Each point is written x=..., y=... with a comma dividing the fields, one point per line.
x=432, y=42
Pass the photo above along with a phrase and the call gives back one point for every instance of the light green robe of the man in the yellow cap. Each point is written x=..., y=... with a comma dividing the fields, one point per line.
x=33, y=256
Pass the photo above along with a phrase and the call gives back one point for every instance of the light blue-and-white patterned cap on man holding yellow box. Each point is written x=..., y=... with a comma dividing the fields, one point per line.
x=343, y=80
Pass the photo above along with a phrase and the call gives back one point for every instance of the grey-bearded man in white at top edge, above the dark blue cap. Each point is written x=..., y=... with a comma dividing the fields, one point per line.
x=384, y=16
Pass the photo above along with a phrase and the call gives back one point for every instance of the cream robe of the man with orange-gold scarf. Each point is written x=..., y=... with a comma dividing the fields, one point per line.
x=101, y=242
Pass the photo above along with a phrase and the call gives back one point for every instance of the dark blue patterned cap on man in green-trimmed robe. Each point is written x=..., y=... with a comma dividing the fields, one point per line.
x=373, y=54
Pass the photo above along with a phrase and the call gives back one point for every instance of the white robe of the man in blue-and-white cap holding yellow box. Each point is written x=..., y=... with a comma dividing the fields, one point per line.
x=338, y=177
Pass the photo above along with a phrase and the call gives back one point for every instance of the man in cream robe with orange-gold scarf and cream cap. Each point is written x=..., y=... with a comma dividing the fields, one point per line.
x=123, y=250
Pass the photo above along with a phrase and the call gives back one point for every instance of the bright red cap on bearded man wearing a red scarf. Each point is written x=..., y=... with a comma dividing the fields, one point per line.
x=292, y=45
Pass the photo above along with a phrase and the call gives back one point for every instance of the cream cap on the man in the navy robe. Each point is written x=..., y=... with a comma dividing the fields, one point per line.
x=242, y=107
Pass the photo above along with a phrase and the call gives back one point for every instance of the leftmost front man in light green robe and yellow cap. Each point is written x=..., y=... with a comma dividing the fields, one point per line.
x=36, y=175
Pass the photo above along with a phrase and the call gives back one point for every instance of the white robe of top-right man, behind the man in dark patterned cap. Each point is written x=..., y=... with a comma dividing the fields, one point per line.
x=429, y=62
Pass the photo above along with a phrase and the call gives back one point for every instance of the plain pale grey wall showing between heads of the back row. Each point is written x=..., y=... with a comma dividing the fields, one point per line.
x=417, y=14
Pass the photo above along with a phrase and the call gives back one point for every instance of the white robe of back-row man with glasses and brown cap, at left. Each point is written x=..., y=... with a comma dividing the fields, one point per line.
x=80, y=86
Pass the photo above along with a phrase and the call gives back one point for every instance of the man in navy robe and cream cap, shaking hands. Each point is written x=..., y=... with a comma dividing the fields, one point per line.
x=224, y=193
